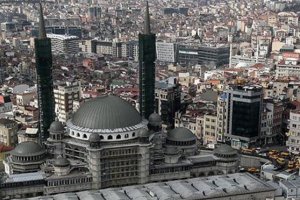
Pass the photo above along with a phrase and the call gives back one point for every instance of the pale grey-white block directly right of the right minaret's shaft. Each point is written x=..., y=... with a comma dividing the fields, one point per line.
x=165, y=52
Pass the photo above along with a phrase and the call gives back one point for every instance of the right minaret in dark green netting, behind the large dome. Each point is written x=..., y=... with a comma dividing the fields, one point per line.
x=147, y=56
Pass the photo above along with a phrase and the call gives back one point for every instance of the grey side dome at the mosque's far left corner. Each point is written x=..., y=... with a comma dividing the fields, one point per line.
x=28, y=148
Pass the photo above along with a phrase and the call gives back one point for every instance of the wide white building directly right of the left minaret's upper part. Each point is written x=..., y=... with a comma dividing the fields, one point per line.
x=65, y=44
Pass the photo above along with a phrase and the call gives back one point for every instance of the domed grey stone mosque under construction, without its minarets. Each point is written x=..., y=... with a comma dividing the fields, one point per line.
x=106, y=144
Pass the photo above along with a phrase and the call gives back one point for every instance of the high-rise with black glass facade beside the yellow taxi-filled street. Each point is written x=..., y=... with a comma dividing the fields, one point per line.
x=243, y=115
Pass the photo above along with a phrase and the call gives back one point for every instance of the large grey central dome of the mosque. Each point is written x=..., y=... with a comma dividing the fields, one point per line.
x=106, y=112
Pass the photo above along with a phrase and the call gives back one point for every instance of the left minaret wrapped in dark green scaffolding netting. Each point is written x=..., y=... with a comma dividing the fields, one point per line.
x=43, y=61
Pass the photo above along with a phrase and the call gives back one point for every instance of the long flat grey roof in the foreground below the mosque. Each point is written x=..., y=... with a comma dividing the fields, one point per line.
x=195, y=188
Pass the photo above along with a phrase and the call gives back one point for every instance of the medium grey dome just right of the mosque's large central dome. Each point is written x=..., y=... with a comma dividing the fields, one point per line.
x=181, y=135
